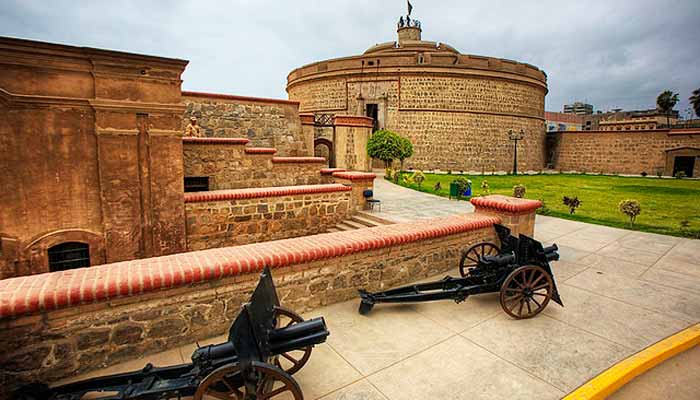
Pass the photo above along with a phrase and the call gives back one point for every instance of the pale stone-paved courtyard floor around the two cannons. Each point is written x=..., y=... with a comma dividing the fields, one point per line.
x=622, y=291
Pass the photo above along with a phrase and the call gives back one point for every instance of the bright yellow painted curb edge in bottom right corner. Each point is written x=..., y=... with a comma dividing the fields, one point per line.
x=619, y=374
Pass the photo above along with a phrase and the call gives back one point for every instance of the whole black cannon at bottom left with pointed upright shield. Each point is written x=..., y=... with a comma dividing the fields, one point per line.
x=267, y=343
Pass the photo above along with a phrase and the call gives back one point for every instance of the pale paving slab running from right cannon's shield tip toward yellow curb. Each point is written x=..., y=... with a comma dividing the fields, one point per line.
x=624, y=324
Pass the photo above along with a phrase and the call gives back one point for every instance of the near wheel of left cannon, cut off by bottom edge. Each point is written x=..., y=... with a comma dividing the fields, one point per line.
x=272, y=383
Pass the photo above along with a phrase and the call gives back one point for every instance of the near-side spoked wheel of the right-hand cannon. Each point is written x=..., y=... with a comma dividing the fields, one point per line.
x=526, y=291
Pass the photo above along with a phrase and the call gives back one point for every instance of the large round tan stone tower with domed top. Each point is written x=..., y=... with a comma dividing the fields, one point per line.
x=456, y=108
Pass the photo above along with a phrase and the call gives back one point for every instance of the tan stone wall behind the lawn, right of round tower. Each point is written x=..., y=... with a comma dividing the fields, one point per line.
x=624, y=152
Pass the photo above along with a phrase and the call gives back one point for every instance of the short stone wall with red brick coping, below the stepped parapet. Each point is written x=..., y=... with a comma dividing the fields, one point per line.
x=243, y=216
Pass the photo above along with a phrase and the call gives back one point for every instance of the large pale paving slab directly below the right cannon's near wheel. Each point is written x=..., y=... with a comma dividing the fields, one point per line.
x=556, y=352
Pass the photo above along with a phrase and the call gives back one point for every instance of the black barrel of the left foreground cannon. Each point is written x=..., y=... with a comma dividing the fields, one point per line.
x=299, y=335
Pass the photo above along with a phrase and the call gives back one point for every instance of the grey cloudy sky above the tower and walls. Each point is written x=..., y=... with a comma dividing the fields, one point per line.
x=611, y=53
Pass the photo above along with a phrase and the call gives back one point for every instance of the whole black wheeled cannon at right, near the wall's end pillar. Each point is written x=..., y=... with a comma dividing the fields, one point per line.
x=519, y=270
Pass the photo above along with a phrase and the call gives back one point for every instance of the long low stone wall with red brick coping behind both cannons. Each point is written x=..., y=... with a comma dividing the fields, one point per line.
x=61, y=324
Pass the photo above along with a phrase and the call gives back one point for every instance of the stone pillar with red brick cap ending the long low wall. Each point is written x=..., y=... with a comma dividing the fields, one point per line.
x=517, y=214
